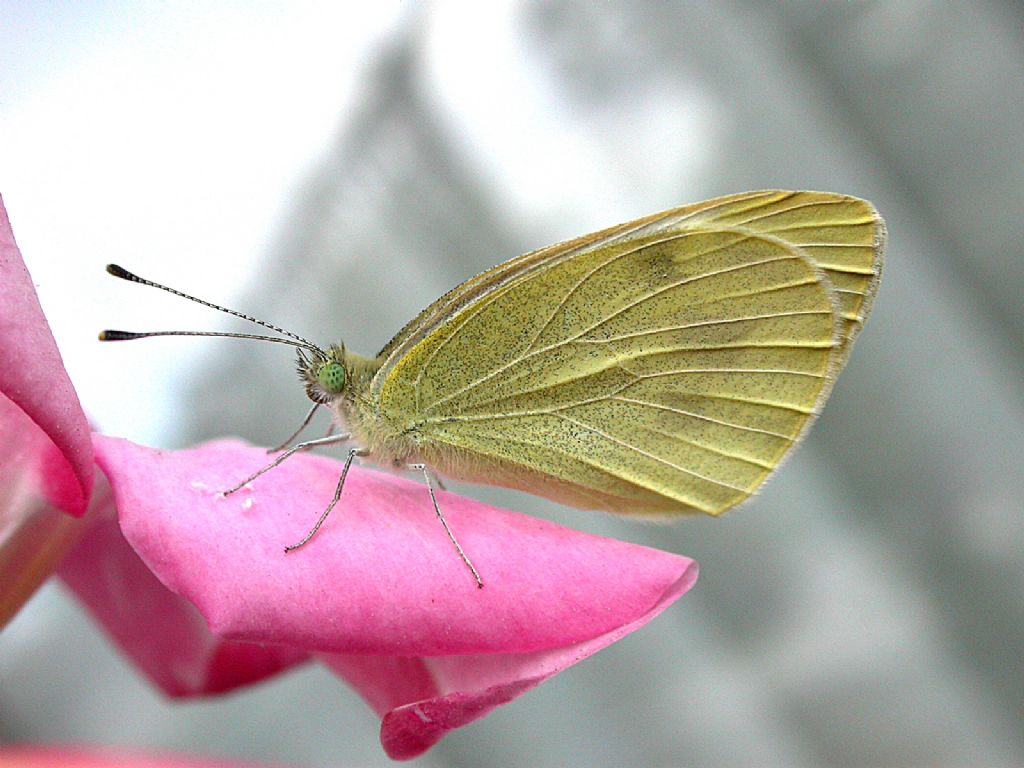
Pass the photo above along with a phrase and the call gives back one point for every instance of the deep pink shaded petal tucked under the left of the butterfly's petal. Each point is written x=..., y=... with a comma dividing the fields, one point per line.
x=161, y=632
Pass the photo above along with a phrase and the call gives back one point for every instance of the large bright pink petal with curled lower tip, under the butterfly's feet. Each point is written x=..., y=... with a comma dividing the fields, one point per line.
x=381, y=587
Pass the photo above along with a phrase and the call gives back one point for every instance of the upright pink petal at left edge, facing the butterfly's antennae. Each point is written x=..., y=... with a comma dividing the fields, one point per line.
x=33, y=377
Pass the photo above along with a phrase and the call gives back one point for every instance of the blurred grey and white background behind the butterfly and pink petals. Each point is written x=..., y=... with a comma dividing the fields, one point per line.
x=336, y=167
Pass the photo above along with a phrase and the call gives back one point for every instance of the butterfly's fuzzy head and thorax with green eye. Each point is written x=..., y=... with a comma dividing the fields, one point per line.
x=343, y=381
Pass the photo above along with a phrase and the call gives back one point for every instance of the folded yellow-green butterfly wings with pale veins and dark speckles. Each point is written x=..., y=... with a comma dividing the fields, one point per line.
x=664, y=366
